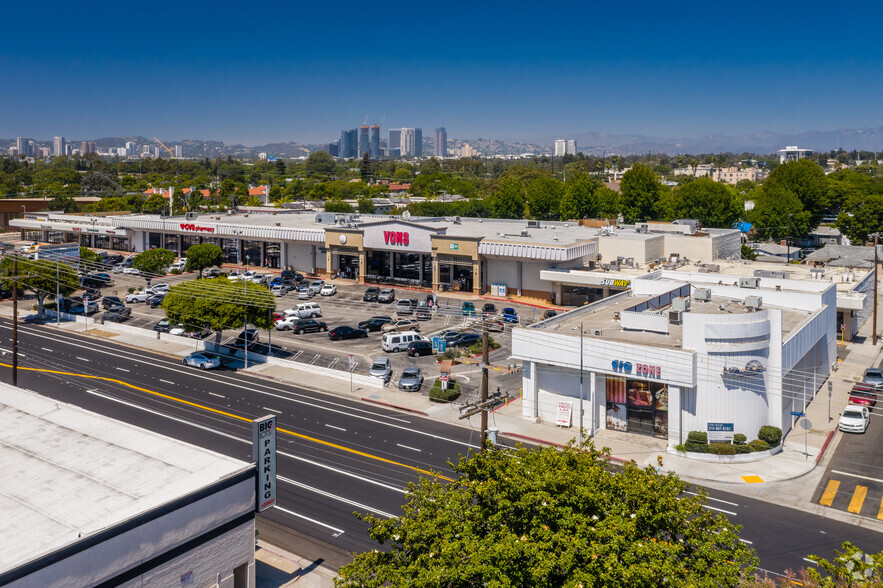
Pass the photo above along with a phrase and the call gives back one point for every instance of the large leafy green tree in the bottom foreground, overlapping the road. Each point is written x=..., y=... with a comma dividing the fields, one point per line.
x=547, y=518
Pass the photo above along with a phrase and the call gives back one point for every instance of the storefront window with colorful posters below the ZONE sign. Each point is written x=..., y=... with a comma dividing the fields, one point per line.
x=637, y=406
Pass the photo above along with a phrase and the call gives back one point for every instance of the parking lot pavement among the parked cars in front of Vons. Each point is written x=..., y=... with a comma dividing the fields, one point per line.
x=347, y=308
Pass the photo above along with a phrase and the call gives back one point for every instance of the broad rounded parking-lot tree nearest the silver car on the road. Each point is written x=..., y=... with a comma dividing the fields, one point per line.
x=218, y=304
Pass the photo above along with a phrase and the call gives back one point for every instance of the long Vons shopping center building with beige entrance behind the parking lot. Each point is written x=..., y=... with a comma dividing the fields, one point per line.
x=481, y=256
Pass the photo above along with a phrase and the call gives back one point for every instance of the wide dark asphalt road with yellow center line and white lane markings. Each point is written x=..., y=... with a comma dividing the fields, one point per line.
x=338, y=456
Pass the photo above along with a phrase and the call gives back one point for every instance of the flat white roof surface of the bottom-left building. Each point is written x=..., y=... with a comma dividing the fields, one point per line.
x=69, y=473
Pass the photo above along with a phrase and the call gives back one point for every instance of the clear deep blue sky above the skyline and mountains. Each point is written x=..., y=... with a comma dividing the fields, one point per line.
x=301, y=71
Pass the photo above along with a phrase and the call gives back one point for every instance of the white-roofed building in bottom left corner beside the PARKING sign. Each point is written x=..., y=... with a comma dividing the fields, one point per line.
x=90, y=501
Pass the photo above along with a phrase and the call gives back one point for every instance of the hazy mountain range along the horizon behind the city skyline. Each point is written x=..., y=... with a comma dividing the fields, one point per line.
x=591, y=143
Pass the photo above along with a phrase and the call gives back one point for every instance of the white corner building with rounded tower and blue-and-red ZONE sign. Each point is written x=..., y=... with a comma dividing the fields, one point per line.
x=678, y=351
